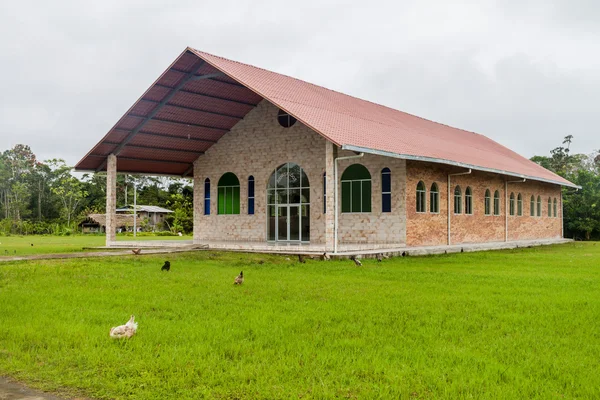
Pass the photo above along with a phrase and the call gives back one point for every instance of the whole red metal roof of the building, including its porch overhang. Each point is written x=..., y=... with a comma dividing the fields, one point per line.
x=206, y=109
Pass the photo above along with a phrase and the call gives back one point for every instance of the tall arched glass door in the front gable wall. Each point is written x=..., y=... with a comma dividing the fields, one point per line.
x=288, y=205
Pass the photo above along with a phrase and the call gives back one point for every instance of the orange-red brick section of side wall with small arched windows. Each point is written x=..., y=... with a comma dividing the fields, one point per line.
x=428, y=229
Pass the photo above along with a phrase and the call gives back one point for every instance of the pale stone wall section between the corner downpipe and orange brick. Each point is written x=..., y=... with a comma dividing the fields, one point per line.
x=375, y=227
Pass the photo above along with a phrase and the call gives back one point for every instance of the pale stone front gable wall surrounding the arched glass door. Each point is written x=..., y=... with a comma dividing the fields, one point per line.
x=256, y=146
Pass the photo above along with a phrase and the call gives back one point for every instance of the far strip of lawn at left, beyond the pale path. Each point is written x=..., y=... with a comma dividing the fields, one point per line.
x=42, y=244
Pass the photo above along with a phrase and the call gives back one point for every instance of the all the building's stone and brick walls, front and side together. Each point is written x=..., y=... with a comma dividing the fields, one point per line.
x=257, y=145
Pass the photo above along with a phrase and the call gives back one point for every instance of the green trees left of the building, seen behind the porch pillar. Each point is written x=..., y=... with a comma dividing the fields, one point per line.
x=45, y=198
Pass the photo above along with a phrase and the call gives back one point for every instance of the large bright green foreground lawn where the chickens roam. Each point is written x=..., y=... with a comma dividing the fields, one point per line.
x=506, y=324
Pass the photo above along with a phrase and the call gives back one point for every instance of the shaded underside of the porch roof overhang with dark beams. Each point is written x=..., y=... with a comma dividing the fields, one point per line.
x=183, y=113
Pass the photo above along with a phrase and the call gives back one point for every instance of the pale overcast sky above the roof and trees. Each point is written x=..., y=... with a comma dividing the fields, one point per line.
x=525, y=73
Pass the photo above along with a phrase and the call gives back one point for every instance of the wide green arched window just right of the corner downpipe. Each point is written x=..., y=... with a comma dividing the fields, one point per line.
x=356, y=189
